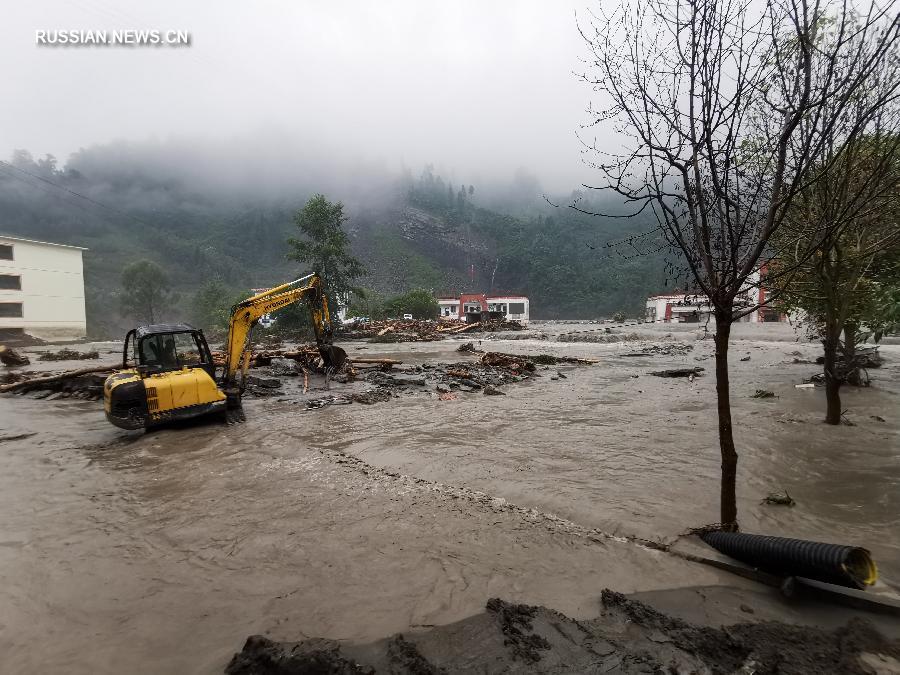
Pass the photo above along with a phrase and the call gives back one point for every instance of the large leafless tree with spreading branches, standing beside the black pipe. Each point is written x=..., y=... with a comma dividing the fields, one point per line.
x=723, y=106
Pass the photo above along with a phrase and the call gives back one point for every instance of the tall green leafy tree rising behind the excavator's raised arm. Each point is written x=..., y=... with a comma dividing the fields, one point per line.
x=326, y=248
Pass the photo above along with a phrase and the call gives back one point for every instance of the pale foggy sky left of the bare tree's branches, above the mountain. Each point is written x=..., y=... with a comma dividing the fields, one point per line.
x=477, y=87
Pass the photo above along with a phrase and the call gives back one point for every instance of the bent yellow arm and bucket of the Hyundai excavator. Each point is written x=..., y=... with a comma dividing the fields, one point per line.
x=245, y=314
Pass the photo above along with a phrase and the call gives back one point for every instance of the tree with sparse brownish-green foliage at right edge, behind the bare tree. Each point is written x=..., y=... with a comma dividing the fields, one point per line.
x=849, y=218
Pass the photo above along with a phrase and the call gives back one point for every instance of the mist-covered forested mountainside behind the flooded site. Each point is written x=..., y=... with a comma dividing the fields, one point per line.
x=203, y=215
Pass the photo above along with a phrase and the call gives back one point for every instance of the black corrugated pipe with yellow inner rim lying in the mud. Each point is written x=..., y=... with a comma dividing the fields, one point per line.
x=850, y=566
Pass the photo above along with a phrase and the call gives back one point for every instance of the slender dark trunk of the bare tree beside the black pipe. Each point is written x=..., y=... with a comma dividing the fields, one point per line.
x=728, y=499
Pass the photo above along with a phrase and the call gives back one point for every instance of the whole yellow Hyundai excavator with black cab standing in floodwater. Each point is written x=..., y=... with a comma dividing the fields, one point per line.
x=168, y=371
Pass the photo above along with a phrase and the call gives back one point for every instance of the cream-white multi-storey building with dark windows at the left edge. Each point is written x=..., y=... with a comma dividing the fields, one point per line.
x=41, y=289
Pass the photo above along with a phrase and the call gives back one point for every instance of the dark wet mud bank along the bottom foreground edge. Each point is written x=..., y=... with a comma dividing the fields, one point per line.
x=628, y=637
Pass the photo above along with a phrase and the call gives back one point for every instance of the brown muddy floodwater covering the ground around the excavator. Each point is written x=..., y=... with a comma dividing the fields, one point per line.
x=160, y=552
